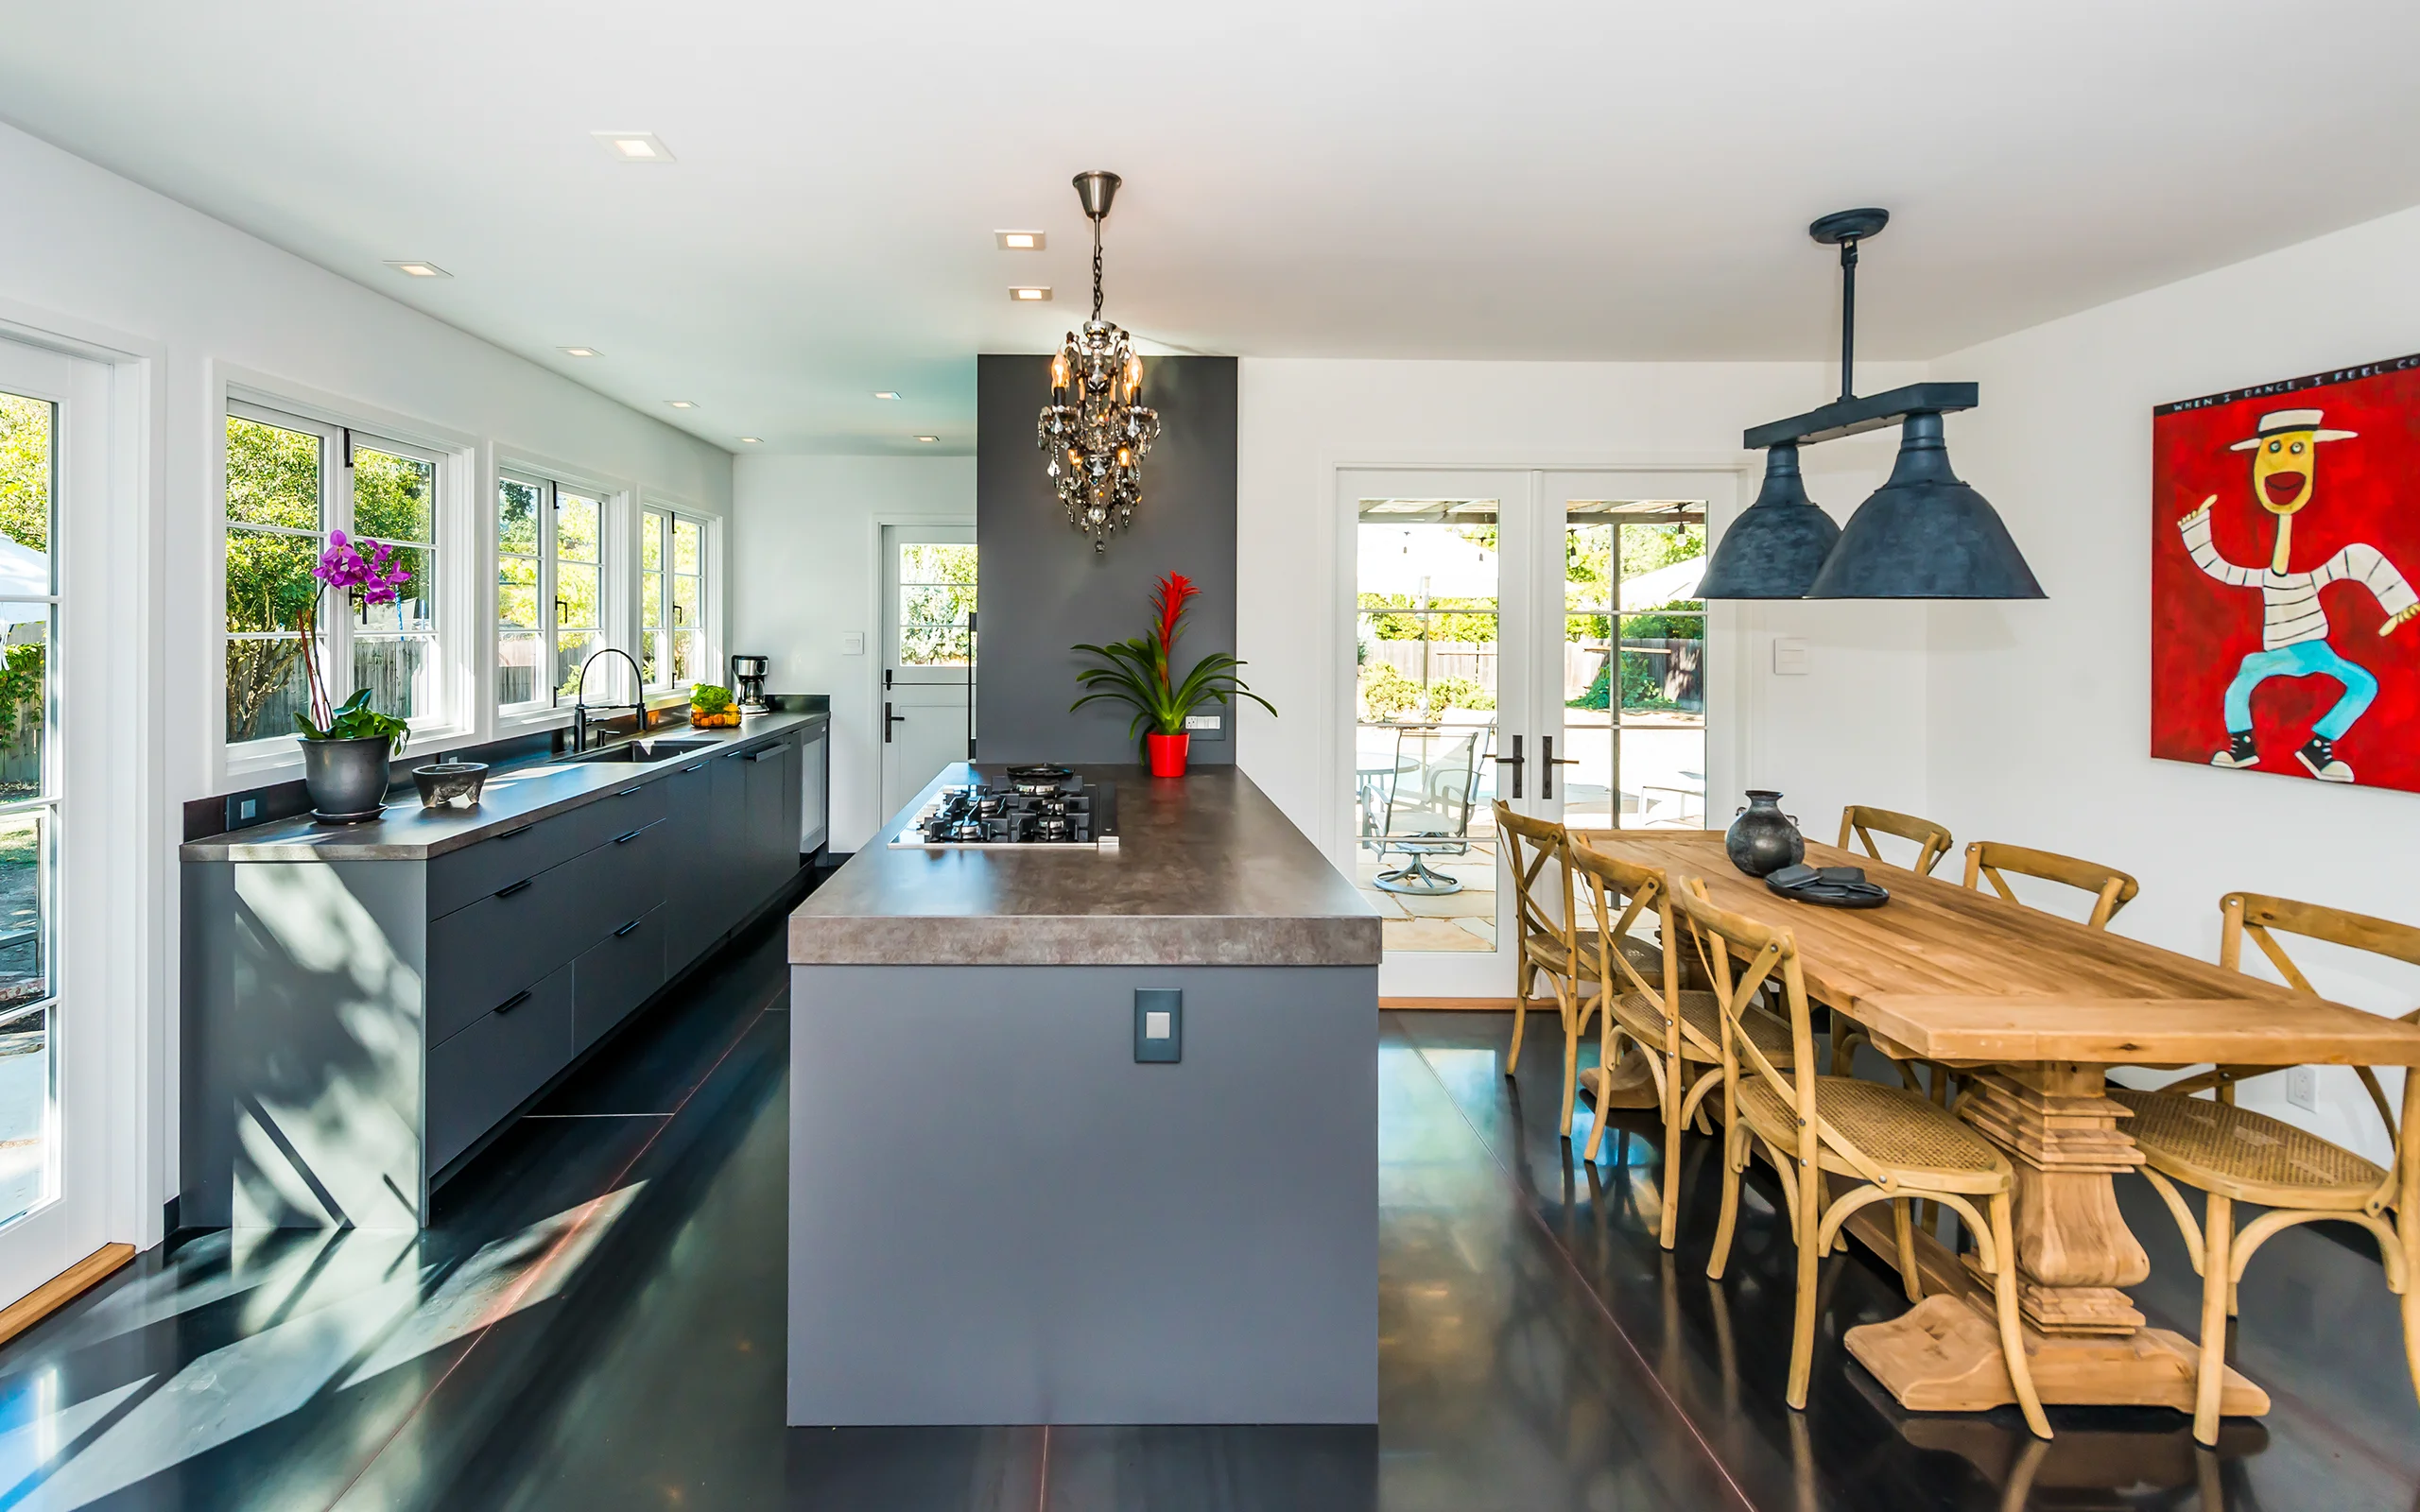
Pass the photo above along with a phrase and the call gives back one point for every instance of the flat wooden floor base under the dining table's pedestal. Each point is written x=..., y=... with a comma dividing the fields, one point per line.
x=1942, y=1356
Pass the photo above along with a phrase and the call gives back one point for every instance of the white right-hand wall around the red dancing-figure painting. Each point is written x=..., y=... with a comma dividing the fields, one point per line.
x=2039, y=715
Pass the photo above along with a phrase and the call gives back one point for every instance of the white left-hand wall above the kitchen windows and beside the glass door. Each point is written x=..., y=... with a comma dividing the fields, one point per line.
x=115, y=265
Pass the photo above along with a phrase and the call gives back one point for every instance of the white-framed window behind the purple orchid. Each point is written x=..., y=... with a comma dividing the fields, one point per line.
x=292, y=485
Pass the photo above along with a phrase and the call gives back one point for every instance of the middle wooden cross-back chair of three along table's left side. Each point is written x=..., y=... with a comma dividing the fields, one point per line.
x=1683, y=1051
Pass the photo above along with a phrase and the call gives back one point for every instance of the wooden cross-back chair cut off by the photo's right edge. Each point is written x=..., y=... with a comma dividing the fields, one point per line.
x=2235, y=1155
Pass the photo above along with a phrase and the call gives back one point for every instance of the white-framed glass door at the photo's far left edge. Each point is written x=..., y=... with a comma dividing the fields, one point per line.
x=54, y=1070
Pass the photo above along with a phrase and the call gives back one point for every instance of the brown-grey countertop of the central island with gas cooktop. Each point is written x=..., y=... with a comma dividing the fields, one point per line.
x=1206, y=875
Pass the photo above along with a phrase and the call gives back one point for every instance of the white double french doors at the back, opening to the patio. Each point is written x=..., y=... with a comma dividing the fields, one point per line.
x=1526, y=637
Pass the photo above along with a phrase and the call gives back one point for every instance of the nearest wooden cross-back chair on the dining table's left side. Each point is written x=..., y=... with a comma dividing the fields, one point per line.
x=1886, y=1141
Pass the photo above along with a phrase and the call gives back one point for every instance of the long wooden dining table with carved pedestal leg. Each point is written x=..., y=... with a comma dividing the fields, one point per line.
x=2034, y=1010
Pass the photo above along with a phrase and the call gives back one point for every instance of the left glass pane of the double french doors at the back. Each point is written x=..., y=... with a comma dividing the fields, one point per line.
x=1427, y=725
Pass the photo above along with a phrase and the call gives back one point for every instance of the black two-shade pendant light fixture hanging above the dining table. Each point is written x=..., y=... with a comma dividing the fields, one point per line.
x=1920, y=536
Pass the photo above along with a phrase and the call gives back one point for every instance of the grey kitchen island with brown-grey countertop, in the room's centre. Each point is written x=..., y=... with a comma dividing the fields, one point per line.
x=1088, y=1133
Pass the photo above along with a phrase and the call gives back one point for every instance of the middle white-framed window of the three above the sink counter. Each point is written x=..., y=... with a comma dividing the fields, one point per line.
x=551, y=589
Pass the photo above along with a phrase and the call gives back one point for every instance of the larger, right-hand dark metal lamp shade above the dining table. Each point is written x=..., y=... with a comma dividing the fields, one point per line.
x=1925, y=533
